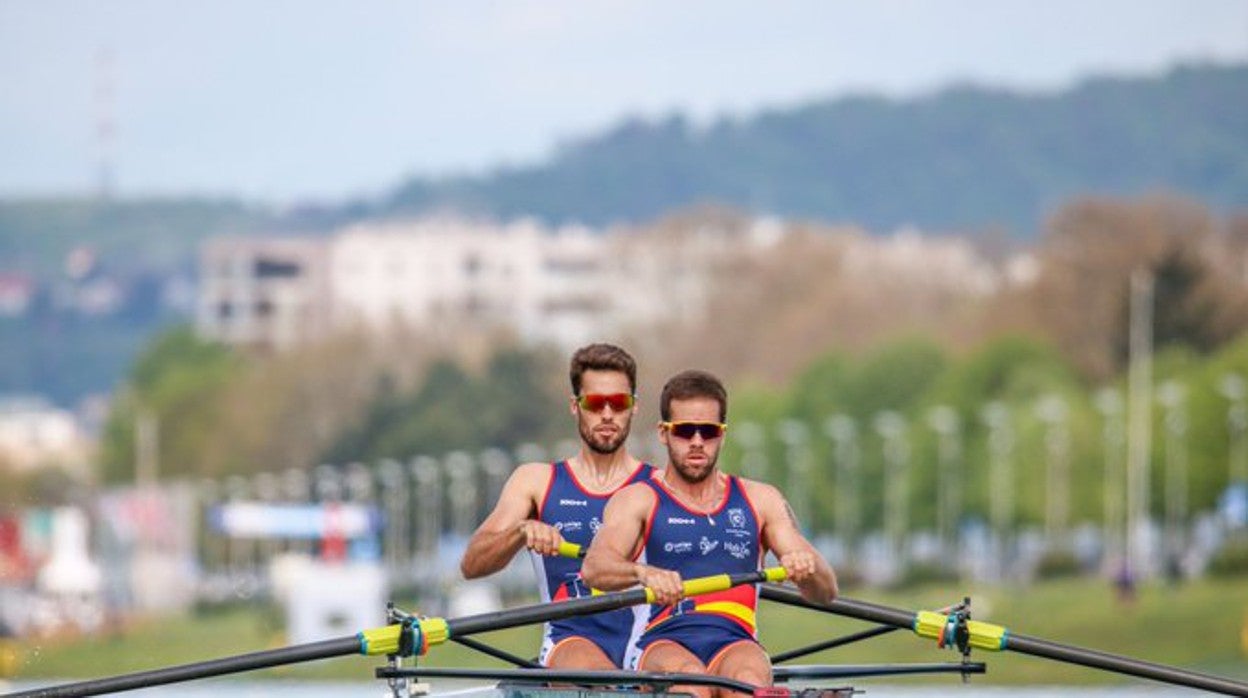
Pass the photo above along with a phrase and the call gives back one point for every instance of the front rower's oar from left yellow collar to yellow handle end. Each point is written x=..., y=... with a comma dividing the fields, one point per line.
x=415, y=636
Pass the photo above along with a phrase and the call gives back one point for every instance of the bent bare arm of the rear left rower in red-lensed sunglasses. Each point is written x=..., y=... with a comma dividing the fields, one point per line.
x=511, y=526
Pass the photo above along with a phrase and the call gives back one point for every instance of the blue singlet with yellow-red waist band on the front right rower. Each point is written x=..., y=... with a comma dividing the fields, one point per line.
x=724, y=541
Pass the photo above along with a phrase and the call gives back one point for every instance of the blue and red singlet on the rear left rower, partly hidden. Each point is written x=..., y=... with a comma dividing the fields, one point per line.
x=578, y=515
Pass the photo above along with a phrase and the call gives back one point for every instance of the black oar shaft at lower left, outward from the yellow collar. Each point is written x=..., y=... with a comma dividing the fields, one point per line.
x=323, y=650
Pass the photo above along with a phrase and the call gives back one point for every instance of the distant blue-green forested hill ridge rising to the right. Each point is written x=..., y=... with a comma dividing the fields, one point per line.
x=964, y=159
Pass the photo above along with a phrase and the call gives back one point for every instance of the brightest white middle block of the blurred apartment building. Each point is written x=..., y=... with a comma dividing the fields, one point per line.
x=546, y=285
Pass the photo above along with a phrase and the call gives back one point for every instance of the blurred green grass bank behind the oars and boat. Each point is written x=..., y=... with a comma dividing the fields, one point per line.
x=1201, y=626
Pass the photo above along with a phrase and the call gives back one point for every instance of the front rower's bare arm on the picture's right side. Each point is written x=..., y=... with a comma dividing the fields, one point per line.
x=783, y=538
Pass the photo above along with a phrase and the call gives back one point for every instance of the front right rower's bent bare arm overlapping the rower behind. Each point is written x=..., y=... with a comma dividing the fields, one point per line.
x=610, y=565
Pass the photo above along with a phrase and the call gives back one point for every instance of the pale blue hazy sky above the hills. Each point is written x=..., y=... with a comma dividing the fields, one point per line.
x=289, y=102
